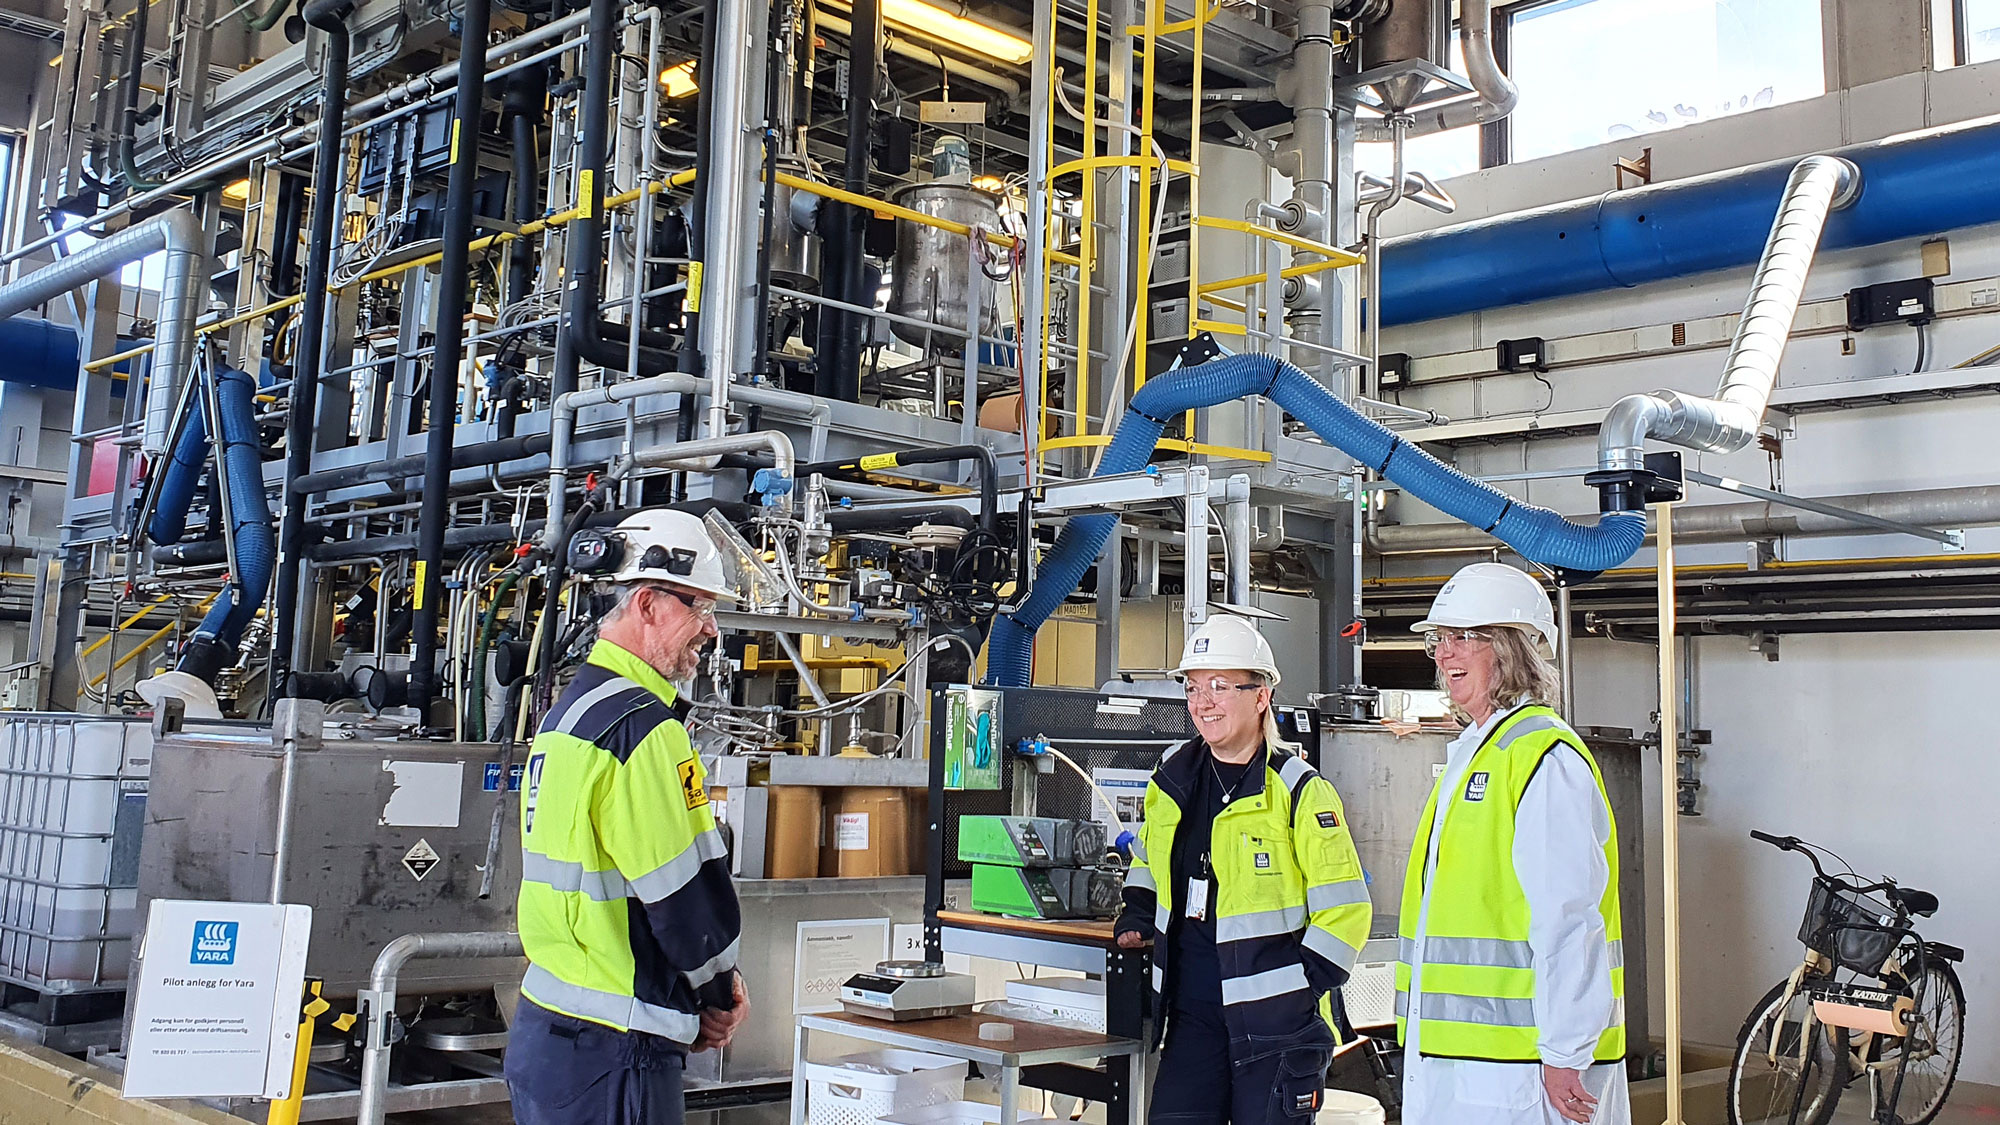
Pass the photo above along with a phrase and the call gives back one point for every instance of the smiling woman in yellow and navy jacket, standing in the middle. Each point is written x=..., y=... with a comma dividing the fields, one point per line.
x=1247, y=882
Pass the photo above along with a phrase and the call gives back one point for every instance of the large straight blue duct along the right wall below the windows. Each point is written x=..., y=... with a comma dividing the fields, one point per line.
x=1913, y=185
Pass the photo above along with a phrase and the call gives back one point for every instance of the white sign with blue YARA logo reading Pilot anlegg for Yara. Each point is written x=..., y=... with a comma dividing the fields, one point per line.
x=219, y=996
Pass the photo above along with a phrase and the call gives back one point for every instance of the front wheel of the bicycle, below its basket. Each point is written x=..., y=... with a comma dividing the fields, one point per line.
x=1771, y=1080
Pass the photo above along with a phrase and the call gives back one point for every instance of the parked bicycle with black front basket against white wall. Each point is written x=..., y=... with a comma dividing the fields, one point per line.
x=1871, y=1000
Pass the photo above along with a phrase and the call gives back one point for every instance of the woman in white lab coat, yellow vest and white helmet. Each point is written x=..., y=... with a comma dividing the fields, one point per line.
x=1511, y=988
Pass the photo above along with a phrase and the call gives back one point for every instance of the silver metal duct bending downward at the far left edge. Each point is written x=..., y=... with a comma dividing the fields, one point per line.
x=181, y=299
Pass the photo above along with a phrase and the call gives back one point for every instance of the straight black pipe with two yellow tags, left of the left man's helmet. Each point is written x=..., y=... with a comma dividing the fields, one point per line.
x=447, y=357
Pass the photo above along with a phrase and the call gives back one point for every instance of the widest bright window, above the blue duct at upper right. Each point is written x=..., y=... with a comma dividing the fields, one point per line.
x=1597, y=71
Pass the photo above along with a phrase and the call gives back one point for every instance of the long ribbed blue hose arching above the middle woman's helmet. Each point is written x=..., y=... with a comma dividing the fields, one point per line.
x=1537, y=533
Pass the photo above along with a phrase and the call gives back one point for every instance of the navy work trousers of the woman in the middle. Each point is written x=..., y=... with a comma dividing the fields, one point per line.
x=1199, y=1084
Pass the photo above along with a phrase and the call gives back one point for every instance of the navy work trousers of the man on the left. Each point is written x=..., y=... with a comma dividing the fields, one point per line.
x=573, y=1072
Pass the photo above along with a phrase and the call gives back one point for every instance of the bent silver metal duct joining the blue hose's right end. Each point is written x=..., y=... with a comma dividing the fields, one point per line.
x=1819, y=187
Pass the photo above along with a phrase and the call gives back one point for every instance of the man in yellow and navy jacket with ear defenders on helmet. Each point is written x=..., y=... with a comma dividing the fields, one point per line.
x=627, y=908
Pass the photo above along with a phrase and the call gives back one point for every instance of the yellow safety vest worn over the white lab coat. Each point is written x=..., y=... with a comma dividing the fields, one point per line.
x=1479, y=970
